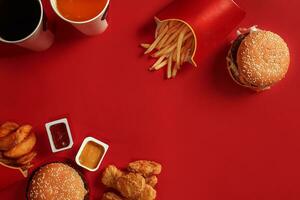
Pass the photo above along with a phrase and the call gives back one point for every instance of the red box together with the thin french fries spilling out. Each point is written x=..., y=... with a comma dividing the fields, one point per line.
x=188, y=30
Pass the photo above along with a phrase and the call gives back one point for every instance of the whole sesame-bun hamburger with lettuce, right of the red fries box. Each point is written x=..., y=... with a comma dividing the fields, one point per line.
x=258, y=59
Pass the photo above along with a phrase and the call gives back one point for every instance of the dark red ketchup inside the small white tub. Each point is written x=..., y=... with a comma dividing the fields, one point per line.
x=60, y=136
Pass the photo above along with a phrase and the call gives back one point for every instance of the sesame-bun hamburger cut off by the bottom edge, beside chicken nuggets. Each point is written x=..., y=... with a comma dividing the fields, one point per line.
x=57, y=181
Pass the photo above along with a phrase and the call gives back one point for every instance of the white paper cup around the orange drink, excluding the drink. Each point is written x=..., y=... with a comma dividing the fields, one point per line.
x=94, y=26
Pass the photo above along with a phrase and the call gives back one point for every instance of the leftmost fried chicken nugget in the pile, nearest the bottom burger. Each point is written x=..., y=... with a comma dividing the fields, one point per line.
x=110, y=176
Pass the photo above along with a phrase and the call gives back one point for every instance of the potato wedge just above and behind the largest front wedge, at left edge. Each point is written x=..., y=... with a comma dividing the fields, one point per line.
x=11, y=140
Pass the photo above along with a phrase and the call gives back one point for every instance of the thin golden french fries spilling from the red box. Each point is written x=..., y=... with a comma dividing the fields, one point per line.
x=174, y=45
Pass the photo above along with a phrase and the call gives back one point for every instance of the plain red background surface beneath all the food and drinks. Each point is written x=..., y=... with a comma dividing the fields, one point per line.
x=214, y=139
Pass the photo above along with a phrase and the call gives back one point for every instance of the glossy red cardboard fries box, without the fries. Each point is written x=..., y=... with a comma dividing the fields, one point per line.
x=211, y=21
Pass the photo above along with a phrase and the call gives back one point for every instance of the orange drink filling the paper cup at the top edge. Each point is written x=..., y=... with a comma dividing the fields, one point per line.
x=80, y=10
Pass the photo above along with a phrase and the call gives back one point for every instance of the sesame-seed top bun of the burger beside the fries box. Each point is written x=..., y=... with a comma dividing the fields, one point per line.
x=263, y=58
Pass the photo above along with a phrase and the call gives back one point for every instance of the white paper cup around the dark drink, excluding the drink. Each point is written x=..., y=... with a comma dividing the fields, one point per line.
x=40, y=39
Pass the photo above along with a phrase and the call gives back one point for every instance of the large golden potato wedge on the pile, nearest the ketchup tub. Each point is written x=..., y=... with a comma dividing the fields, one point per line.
x=23, y=148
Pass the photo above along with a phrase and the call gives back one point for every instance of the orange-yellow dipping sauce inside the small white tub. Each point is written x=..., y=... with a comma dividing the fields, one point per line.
x=91, y=155
